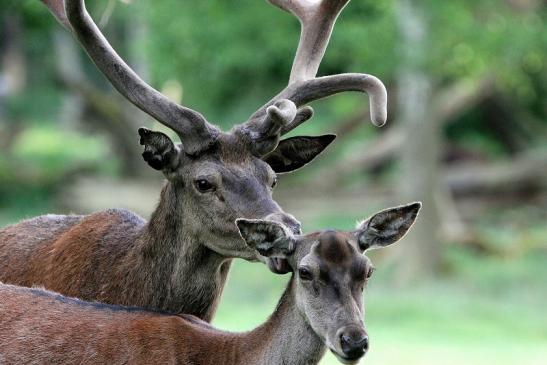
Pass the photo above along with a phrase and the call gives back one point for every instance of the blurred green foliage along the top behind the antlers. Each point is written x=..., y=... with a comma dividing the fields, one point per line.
x=232, y=56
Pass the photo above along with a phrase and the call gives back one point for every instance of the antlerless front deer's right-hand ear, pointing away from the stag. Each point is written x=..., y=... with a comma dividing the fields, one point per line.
x=387, y=227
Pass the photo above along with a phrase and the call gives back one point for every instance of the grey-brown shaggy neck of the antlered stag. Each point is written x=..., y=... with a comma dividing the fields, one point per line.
x=178, y=273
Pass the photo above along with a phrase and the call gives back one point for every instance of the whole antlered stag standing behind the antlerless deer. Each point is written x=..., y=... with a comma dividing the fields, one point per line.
x=213, y=177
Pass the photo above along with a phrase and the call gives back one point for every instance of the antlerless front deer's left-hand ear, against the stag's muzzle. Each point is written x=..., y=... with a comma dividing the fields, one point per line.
x=270, y=239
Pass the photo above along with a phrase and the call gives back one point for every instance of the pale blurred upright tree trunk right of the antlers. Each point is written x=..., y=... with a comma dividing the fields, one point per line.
x=420, y=254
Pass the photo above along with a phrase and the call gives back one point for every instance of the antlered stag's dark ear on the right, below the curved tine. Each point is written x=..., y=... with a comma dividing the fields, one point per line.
x=295, y=152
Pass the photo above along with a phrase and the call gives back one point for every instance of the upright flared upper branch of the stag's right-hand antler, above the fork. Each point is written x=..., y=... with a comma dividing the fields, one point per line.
x=317, y=20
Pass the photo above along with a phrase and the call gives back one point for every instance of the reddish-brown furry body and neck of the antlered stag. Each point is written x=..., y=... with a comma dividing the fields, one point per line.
x=116, y=257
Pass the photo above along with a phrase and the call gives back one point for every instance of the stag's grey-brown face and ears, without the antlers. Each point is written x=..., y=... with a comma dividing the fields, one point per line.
x=229, y=179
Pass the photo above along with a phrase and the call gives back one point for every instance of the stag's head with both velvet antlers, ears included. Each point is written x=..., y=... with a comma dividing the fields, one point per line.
x=220, y=176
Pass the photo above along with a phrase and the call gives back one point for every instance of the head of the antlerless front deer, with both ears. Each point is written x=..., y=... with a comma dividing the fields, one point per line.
x=331, y=272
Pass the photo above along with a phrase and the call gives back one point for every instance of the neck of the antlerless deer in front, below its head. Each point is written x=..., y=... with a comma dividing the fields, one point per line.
x=286, y=338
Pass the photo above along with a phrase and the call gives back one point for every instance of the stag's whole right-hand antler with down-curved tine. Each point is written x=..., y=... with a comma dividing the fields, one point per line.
x=317, y=19
